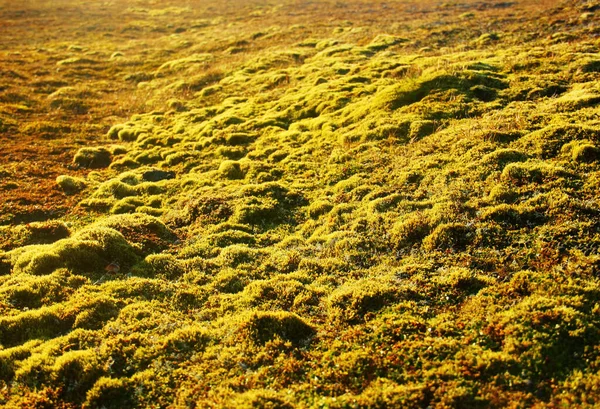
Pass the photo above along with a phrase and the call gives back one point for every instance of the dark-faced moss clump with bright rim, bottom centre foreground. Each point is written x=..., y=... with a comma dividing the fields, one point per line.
x=261, y=327
